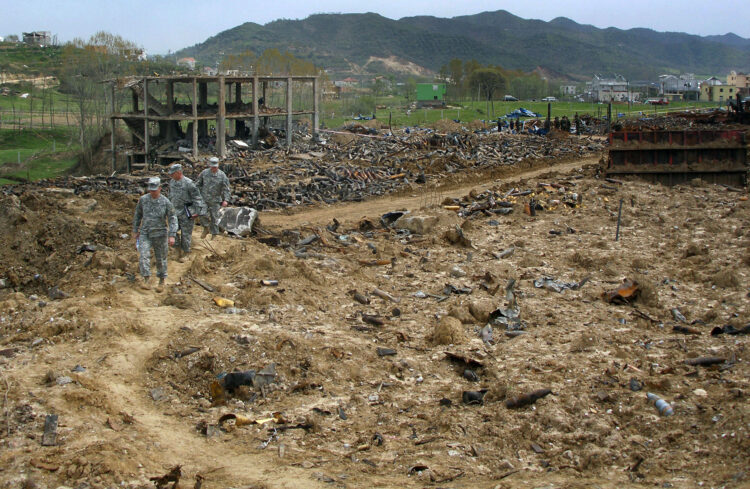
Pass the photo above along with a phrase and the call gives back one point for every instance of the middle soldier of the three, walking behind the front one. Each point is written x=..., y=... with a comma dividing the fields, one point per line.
x=188, y=204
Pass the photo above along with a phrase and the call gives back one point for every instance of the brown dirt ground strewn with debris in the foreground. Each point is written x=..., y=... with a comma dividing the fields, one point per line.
x=129, y=372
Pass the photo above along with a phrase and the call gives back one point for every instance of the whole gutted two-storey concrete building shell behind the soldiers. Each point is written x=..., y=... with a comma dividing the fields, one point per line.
x=173, y=117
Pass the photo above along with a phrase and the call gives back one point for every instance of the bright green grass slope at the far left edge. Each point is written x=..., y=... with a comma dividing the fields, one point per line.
x=43, y=153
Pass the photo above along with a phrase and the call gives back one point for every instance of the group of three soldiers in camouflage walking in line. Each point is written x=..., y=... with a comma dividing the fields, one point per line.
x=158, y=219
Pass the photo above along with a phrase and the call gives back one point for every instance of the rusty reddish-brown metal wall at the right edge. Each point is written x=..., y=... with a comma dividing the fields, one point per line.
x=676, y=156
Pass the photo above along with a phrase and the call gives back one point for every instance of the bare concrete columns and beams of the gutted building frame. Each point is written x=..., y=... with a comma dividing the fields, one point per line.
x=172, y=118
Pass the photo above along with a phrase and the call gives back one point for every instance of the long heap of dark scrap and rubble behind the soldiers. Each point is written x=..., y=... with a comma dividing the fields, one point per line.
x=353, y=169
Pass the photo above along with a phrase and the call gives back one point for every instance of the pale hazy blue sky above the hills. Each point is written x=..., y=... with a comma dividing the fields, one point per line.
x=163, y=25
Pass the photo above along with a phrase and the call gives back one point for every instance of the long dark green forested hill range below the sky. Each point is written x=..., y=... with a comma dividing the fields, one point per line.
x=342, y=42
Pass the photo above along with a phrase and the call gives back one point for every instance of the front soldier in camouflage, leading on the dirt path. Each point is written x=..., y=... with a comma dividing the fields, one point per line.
x=152, y=215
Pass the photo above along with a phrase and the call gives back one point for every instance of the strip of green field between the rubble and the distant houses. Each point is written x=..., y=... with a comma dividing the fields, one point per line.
x=334, y=115
